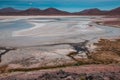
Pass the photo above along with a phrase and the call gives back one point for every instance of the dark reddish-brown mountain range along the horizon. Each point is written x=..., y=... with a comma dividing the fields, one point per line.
x=54, y=11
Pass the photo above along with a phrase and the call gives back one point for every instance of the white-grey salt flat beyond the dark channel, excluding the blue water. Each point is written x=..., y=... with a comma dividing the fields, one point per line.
x=55, y=29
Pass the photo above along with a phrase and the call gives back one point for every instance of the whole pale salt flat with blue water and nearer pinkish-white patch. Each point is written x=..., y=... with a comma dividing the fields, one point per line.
x=30, y=34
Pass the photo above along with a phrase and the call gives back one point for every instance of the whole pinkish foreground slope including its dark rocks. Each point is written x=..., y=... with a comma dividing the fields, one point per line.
x=88, y=72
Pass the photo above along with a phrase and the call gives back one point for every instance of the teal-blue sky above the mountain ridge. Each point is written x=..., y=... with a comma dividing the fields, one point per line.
x=68, y=5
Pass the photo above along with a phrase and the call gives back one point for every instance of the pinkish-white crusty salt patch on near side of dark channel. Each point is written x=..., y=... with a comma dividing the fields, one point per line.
x=31, y=57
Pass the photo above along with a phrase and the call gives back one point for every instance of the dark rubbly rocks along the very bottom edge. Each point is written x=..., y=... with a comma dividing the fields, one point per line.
x=62, y=75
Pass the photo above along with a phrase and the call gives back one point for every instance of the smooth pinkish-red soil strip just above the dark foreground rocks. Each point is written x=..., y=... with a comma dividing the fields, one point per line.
x=86, y=69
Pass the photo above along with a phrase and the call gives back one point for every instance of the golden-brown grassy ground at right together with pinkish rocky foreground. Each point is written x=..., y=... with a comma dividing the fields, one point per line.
x=103, y=65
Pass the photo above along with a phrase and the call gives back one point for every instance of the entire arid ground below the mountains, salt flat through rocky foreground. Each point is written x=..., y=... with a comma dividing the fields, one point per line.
x=60, y=48
